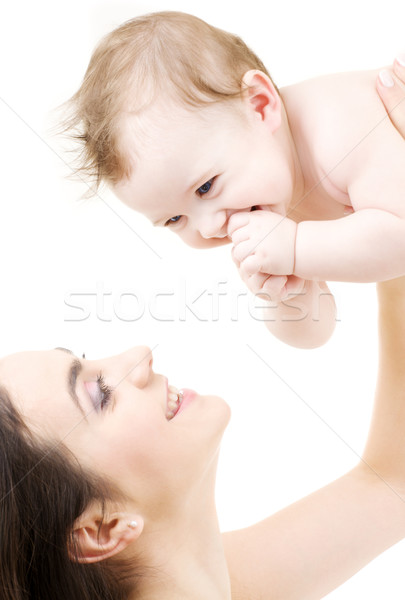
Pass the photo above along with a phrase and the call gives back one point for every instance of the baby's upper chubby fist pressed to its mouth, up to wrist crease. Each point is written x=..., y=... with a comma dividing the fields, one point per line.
x=264, y=242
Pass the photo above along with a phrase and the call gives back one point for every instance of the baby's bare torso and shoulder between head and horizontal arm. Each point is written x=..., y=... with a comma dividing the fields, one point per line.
x=350, y=153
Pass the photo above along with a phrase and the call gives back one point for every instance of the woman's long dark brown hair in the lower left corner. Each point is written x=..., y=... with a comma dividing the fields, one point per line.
x=43, y=490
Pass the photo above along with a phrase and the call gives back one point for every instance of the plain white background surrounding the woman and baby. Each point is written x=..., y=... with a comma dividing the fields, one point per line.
x=299, y=417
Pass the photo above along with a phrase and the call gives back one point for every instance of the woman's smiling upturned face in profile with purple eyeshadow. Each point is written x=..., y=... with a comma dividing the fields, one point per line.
x=127, y=433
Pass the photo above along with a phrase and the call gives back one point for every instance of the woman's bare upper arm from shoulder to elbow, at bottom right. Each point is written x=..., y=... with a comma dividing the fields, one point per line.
x=311, y=547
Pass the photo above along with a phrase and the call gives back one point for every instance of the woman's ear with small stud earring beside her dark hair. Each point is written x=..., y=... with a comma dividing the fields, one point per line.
x=96, y=538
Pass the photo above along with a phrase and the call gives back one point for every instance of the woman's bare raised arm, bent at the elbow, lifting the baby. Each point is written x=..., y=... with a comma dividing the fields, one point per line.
x=308, y=549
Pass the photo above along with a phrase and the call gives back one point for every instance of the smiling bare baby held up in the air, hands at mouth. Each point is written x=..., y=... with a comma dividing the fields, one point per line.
x=184, y=122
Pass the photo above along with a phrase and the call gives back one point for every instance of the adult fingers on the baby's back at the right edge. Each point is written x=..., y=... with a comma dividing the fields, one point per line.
x=391, y=88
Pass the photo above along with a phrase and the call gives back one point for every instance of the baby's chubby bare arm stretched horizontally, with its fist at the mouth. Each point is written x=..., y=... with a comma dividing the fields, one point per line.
x=366, y=246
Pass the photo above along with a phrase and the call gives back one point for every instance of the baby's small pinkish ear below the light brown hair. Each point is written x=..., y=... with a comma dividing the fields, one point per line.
x=261, y=98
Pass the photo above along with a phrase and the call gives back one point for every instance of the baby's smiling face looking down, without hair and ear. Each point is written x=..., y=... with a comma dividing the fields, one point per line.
x=193, y=169
